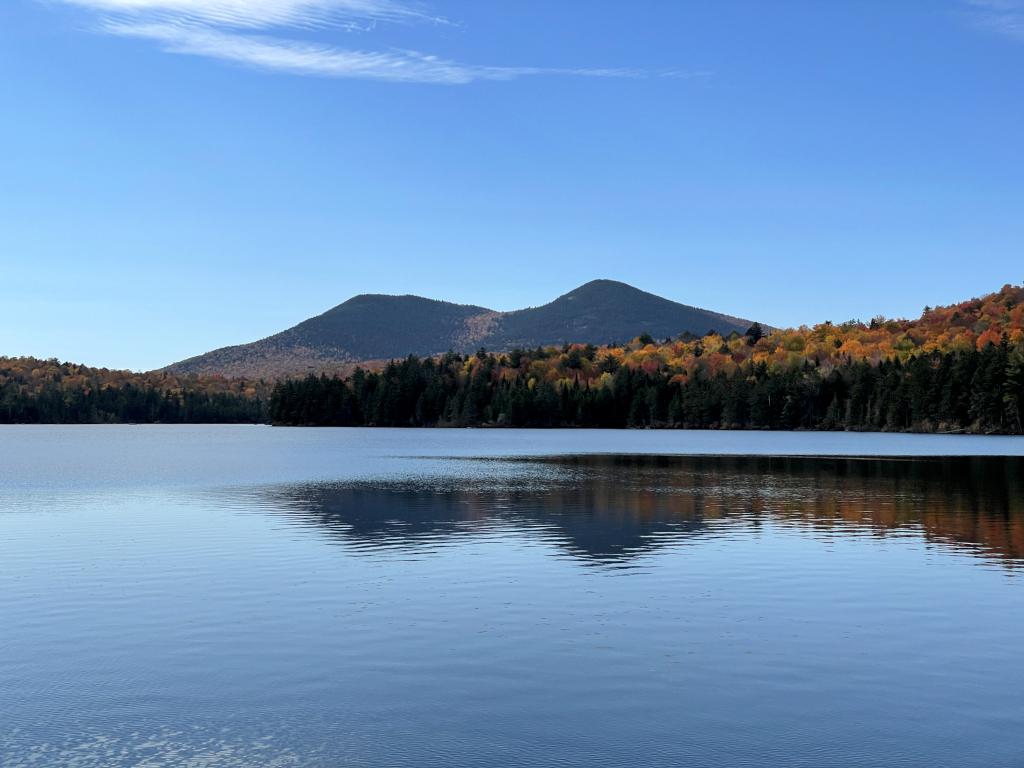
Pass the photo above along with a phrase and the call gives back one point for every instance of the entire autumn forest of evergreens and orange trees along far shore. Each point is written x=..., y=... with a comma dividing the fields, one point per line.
x=956, y=369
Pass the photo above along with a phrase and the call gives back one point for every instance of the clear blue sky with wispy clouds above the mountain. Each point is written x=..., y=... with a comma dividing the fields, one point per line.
x=183, y=175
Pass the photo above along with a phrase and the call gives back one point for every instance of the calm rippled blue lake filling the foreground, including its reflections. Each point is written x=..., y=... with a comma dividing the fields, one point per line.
x=247, y=596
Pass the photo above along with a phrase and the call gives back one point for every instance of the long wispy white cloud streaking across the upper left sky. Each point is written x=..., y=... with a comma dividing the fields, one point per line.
x=250, y=33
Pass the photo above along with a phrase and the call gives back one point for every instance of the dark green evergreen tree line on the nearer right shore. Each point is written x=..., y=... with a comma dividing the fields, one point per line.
x=966, y=391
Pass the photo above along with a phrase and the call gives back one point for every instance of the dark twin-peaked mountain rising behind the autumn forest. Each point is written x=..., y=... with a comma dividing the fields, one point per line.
x=374, y=327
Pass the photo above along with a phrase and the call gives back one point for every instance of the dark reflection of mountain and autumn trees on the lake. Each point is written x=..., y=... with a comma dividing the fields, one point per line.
x=609, y=509
